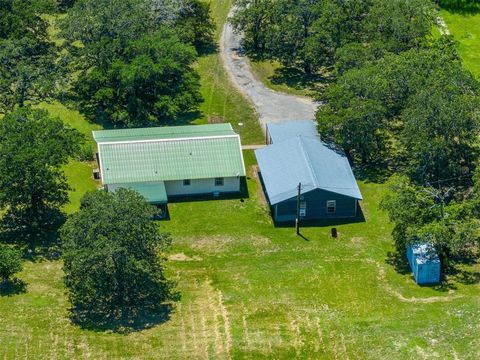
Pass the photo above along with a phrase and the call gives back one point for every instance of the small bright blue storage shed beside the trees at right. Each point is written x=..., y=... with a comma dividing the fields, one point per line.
x=424, y=262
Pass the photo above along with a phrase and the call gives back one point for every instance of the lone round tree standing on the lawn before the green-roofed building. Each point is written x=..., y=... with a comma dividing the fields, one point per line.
x=112, y=258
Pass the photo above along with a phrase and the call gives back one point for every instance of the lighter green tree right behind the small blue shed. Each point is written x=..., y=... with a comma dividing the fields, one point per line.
x=434, y=215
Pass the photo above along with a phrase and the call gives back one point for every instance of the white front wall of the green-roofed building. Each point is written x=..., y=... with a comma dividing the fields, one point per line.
x=202, y=186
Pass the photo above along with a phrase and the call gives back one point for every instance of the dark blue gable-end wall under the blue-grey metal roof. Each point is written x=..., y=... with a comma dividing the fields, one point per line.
x=316, y=206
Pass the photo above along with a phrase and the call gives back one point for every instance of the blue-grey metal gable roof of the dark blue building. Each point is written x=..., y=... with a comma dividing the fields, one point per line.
x=305, y=160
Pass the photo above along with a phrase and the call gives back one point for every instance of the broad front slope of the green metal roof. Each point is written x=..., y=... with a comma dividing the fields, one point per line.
x=177, y=158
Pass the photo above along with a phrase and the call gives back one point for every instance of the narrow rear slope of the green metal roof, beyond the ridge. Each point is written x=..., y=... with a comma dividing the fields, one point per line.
x=166, y=132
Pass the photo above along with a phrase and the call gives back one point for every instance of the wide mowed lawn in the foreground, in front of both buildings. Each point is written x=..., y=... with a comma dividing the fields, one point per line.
x=250, y=290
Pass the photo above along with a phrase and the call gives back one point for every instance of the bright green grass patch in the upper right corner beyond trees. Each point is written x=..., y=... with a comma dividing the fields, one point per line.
x=463, y=21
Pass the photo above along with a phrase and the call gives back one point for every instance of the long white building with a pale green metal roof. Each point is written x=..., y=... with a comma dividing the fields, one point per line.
x=166, y=162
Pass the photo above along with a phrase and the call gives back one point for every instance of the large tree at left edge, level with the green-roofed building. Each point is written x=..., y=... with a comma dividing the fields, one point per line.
x=33, y=187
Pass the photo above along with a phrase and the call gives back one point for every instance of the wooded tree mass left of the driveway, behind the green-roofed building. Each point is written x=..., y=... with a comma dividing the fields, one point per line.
x=124, y=63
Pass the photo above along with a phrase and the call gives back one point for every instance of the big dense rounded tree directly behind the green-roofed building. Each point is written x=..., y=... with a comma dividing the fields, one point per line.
x=129, y=65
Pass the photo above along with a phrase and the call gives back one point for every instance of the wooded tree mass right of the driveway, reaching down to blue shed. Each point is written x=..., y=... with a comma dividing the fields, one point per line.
x=398, y=101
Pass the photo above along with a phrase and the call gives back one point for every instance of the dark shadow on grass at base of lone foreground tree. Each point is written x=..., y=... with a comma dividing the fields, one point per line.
x=144, y=319
